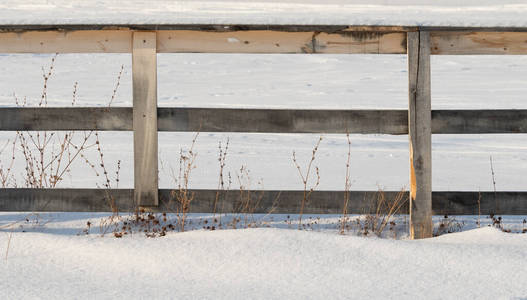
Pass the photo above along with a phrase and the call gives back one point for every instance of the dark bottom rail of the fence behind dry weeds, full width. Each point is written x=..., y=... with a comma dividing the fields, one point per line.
x=283, y=202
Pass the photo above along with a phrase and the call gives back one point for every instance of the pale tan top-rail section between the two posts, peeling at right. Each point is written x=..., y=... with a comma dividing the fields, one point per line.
x=267, y=41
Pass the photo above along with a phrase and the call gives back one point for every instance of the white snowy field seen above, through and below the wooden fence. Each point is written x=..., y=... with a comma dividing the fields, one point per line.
x=57, y=255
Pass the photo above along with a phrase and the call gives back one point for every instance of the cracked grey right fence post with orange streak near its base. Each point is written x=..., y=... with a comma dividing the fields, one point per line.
x=420, y=134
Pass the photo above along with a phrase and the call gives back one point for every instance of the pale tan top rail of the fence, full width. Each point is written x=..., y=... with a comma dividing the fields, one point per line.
x=322, y=39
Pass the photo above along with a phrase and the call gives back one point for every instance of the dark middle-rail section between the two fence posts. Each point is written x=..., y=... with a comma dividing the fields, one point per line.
x=283, y=120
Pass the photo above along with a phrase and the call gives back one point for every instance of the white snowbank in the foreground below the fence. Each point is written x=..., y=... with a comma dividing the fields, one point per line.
x=53, y=262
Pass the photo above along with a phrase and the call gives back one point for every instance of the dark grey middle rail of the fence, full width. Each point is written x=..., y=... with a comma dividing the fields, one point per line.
x=264, y=120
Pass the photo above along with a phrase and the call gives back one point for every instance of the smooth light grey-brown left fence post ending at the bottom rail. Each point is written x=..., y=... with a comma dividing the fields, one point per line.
x=144, y=73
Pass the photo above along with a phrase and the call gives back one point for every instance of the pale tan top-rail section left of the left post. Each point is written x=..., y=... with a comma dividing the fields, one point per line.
x=84, y=41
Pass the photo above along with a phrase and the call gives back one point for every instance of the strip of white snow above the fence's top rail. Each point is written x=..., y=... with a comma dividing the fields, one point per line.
x=296, y=12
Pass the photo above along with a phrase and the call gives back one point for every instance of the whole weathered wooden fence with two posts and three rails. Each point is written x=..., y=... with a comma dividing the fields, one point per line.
x=146, y=119
